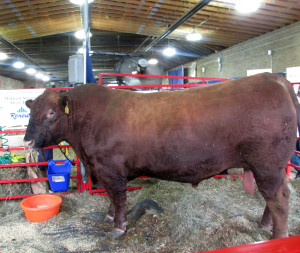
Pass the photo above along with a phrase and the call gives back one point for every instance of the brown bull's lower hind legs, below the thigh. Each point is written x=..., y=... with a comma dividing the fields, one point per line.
x=272, y=184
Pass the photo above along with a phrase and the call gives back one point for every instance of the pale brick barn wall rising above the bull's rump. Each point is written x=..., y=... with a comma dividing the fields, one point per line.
x=253, y=54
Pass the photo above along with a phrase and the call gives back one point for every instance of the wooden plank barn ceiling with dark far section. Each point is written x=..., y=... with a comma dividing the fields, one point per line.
x=42, y=32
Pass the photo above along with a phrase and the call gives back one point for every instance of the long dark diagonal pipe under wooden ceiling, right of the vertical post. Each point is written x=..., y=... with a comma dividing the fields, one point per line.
x=177, y=23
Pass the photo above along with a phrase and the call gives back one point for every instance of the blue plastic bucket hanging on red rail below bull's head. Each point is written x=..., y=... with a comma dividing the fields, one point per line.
x=59, y=175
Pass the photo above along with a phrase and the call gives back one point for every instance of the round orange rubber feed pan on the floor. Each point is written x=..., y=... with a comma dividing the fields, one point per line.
x=41, y=207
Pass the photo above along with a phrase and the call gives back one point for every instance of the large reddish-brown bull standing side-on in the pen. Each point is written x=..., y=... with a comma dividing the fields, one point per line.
x=184, y=136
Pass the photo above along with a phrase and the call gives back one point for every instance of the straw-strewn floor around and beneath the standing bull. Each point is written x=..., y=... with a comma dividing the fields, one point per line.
x=217, y=214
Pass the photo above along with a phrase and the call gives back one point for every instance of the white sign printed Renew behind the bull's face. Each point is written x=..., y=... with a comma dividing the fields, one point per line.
x=13, y=111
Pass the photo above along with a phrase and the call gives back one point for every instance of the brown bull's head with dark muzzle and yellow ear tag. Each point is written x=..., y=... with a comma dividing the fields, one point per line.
x=47, y=114
